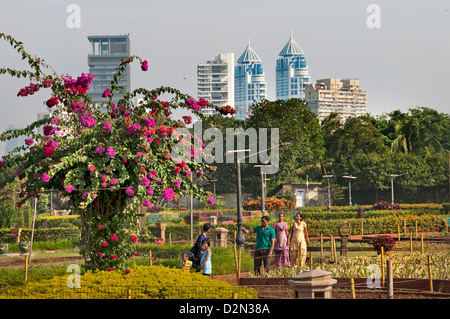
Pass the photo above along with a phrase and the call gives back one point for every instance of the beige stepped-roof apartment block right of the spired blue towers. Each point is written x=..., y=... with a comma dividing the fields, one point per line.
x=344, y=97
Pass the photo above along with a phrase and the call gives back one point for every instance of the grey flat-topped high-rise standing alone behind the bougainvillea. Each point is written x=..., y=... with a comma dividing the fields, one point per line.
x=103, y=60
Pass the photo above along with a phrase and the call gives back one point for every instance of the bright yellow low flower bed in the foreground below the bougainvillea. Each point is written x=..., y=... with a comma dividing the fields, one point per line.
x=143, y=282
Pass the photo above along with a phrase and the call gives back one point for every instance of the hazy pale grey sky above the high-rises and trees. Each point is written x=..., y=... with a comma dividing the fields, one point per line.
x=399, y=49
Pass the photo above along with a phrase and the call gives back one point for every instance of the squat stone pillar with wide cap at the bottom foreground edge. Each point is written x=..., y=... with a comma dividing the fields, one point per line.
x=313, y=284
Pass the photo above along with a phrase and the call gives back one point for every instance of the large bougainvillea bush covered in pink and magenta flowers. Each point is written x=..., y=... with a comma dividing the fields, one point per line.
x=107, y=158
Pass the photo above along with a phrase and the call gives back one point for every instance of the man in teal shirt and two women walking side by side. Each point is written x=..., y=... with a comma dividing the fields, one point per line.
x=286, y=242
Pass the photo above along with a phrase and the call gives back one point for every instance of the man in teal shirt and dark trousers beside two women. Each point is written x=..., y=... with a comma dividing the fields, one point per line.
x=265, y=242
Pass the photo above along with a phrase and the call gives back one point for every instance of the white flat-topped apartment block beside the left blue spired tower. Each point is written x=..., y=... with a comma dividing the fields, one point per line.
x=215, y=81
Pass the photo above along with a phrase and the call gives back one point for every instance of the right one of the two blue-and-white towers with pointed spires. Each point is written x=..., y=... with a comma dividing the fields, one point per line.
x=292, y=74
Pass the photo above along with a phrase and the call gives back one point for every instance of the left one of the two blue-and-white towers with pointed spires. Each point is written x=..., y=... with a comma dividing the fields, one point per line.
x=249, y=82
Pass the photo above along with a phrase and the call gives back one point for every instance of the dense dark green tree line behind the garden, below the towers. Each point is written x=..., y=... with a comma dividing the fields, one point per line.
x=413, y=144
